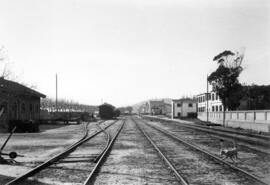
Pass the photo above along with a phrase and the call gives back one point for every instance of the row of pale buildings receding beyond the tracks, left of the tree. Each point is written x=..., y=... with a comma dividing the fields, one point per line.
x=184, y=107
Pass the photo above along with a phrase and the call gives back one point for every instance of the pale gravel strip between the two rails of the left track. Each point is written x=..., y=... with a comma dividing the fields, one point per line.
x=77, y=171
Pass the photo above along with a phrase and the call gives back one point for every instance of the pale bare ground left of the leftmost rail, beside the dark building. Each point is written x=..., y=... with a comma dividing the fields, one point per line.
x=37, y=147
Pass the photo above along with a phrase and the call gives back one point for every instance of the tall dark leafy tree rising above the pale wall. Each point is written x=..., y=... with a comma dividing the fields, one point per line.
x=225, y=79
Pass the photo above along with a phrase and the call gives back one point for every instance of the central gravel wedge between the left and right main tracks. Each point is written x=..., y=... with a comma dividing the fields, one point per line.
x=133, y=161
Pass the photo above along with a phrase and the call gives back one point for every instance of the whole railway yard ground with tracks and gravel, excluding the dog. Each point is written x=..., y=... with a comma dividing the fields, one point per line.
x=135, y=150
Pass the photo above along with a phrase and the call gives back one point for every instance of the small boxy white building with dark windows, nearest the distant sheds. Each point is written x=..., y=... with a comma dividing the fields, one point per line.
x=183, y=107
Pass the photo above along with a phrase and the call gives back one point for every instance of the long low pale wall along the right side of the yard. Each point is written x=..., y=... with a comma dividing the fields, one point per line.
x=258, y=120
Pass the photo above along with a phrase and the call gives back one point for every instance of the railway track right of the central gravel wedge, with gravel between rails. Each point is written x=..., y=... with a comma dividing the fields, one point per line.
x=190, y=163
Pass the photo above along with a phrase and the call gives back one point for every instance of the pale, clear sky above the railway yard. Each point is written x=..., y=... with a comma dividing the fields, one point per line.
x=126, y=51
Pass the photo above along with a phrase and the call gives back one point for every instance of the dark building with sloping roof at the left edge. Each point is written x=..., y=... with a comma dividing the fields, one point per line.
x=18, y=102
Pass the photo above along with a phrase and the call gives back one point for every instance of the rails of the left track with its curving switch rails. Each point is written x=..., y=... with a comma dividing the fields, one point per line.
x=59, y=158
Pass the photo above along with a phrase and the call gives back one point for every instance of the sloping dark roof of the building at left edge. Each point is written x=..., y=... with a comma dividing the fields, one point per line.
x=16, y=88
